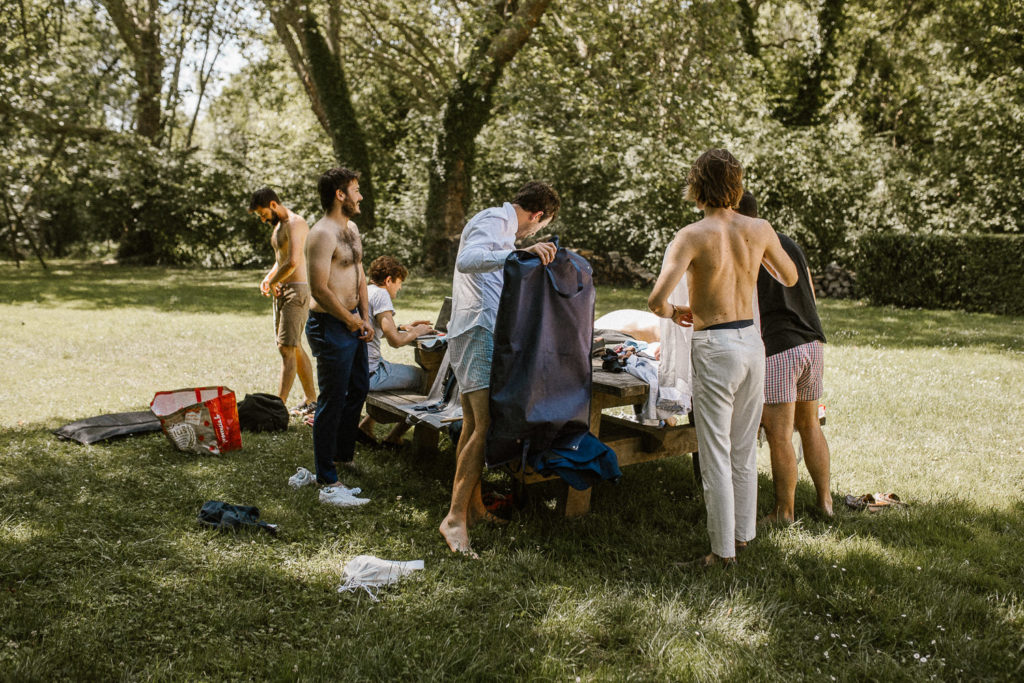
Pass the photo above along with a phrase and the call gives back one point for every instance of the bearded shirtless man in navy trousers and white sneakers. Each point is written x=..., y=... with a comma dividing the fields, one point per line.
x=338, y=329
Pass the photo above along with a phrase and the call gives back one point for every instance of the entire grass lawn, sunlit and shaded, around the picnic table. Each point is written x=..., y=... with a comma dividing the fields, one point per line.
x=105, y=574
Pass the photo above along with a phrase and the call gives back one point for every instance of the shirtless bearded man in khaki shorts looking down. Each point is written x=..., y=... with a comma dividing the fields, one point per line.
x=287, y=281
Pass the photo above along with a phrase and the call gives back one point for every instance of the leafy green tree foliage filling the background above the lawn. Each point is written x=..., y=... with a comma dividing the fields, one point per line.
x=852, y=117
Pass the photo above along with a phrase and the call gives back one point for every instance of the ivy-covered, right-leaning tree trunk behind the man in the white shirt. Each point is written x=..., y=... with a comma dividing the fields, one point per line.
x=467, y=110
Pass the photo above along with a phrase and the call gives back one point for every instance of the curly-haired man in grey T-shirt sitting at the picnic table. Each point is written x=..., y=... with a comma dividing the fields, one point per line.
x=388, y=277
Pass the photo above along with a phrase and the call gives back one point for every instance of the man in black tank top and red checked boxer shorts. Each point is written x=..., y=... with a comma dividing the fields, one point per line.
x=794, y=367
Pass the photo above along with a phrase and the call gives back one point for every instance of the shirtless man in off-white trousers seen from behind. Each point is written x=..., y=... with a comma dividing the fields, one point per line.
x=721, y=255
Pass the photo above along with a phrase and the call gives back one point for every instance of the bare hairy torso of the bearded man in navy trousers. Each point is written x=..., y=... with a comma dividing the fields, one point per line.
x=335, y=252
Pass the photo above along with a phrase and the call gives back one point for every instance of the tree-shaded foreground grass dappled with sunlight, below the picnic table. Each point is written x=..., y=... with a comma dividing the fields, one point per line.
x=104, y=564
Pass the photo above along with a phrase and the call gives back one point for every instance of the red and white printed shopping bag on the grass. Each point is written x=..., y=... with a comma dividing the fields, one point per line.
x=201, y=420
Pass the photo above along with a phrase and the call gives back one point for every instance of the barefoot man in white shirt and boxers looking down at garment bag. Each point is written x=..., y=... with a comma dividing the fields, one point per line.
x=487, y=241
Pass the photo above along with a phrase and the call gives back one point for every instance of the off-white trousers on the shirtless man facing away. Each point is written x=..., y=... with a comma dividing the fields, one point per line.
x=729, y=396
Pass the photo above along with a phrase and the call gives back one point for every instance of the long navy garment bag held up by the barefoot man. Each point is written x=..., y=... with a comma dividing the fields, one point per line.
x=541, y=372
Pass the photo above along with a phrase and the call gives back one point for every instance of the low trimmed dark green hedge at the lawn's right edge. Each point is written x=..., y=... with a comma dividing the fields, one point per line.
x=980, y=273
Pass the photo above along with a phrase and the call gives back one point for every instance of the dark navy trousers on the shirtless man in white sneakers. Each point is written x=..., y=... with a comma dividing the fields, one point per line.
x=344, y=374
